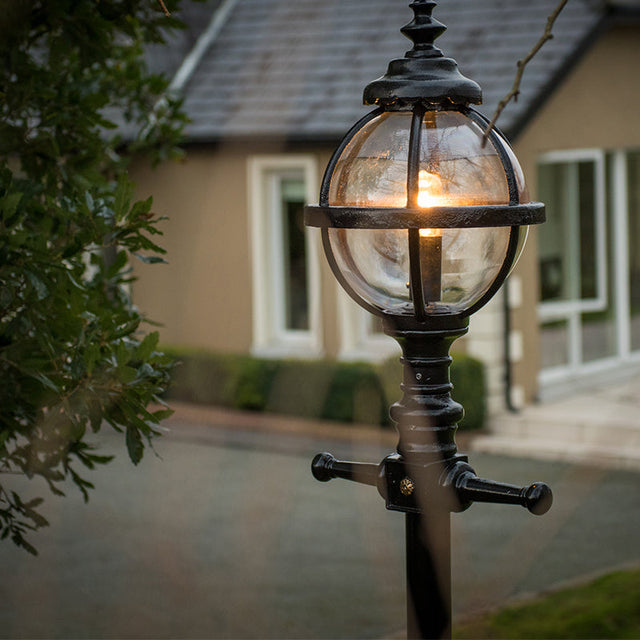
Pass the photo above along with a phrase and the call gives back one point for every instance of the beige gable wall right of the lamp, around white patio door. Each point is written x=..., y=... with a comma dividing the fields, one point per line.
x=596, y=106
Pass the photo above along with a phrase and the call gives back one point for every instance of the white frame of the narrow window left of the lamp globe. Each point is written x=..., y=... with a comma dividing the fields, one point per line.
x=271, y=338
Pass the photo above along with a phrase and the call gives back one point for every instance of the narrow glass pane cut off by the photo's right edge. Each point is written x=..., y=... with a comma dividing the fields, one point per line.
x=634, y=246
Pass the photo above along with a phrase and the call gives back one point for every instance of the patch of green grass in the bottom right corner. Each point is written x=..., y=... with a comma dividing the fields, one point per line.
x=606, y=608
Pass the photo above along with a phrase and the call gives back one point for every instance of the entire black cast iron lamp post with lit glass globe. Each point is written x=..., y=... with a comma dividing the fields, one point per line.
x=423, y=215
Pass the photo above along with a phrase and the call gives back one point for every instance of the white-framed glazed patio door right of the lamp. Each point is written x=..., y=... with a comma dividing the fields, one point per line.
x=589, y=261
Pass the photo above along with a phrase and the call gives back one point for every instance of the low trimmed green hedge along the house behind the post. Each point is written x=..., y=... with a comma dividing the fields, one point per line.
x=325, y=389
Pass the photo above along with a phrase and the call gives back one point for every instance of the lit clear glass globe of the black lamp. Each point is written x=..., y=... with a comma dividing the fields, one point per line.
x=456, y=169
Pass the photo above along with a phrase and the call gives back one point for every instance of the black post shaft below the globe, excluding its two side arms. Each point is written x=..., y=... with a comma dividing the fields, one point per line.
x=426, y=418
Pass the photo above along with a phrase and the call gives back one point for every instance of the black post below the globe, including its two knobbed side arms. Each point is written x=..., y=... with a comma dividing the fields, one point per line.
x=427, y=479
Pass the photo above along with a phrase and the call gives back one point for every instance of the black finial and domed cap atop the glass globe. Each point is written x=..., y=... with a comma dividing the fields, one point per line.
x=424, y=74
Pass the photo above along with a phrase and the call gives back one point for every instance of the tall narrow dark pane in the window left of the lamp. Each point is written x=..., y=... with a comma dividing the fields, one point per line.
x=294, y=254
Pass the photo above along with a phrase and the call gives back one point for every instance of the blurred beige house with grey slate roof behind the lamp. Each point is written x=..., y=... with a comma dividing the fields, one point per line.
x=271, y=86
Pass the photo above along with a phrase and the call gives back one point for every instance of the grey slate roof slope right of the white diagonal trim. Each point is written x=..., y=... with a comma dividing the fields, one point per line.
x=297, y=69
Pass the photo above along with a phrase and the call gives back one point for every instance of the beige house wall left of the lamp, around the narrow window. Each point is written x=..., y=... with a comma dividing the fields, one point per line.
x=203, y=297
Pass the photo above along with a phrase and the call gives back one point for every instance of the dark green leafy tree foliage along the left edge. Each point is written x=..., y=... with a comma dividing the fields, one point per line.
x=73, y=356
